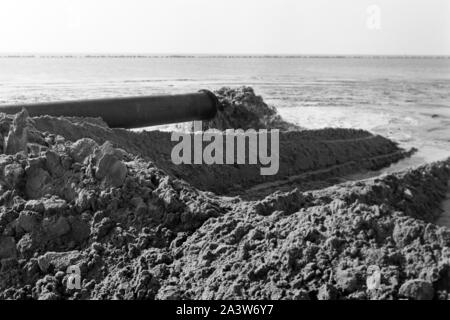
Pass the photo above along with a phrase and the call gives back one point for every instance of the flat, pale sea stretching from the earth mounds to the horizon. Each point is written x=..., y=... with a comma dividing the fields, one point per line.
x=404, y=98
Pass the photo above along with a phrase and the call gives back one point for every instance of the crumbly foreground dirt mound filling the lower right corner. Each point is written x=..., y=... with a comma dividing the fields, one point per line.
x=323, y=244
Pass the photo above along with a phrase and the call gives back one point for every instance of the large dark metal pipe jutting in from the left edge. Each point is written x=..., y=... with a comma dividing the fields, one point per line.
x=130, y=112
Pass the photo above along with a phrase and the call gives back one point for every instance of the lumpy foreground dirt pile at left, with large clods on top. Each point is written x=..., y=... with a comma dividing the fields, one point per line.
x=65, y=203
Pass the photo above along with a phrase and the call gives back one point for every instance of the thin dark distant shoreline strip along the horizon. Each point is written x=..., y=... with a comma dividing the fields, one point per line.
x=216, y=56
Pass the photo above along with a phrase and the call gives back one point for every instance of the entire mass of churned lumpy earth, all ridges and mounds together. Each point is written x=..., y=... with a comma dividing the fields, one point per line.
x=74, y=192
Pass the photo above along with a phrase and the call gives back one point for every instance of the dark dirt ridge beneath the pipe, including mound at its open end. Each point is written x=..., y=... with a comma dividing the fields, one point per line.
x=306, y=155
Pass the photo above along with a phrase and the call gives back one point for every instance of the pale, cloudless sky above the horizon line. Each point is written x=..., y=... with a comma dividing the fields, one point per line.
x=412, y=27
